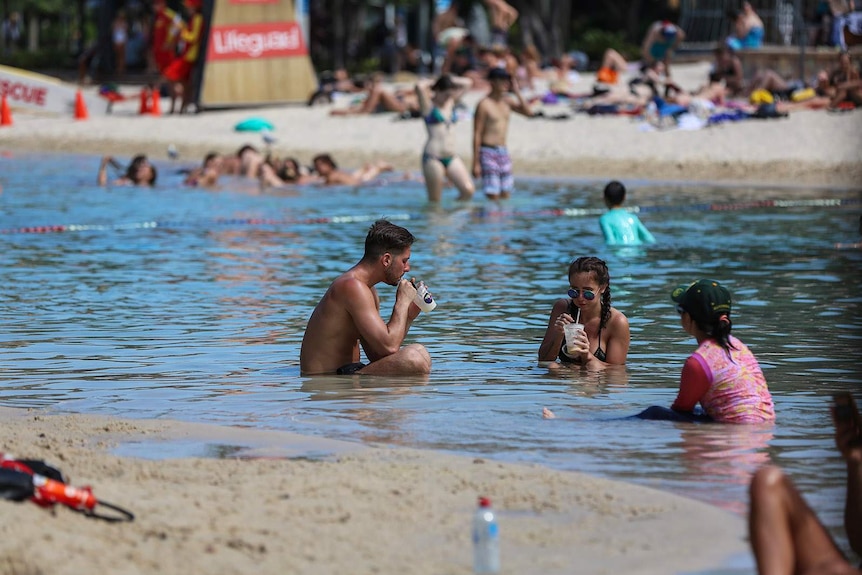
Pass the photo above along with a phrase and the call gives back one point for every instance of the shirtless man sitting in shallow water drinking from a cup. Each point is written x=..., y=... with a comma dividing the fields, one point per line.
x=349, y=314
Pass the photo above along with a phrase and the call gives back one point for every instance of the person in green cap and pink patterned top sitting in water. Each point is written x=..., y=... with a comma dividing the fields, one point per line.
x=722, y=375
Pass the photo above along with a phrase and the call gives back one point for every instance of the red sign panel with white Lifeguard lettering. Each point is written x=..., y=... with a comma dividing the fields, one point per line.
x=255, y=41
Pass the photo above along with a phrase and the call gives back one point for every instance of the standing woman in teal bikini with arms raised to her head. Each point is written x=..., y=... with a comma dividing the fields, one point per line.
x=439, y=161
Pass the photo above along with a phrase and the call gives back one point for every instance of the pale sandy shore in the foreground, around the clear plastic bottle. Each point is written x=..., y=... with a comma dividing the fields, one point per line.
x=288, y=504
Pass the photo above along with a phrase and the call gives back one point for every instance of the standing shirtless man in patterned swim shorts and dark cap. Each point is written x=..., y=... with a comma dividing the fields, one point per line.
x=491, y=158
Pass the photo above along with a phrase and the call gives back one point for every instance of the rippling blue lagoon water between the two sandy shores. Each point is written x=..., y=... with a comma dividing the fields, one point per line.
x=191, y=304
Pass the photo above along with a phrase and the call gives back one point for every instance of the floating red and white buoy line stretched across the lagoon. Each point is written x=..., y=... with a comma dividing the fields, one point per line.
x=482, y=212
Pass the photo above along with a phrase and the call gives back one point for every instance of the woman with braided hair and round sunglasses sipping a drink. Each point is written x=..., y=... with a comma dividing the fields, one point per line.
x=605, y=338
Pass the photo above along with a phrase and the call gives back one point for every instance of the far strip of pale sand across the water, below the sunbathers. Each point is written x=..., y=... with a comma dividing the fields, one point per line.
x=809, y=149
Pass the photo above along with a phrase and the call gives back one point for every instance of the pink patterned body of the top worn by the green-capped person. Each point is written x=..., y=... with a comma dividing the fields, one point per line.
x=737, y=391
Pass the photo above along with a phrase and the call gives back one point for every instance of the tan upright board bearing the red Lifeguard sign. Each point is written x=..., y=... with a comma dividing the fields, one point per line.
x=254, y=53
